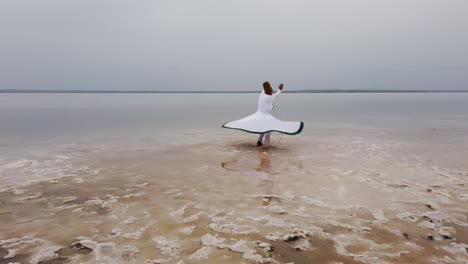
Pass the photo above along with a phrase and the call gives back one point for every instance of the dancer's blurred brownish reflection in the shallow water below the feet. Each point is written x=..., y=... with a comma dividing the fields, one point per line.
x=260, y=169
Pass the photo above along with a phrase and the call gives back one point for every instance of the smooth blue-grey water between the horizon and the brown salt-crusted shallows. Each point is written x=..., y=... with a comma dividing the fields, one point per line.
x=32, y=118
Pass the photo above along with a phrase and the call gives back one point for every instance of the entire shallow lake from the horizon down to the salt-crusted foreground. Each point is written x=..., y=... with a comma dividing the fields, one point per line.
x=345, y=190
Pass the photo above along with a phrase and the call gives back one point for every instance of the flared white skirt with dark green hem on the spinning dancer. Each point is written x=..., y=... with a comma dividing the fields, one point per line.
x=261, y=122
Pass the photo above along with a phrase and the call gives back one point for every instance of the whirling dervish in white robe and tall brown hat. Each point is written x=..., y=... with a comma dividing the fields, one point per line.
x=262, y=122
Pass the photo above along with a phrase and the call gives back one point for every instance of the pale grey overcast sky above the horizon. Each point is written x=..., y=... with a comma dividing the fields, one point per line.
x=233, y=45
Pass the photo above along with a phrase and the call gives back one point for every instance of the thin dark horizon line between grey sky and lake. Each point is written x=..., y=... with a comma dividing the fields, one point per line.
x=182, y=91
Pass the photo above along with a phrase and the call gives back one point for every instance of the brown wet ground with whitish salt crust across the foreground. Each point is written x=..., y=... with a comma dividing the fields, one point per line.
x=331, y=198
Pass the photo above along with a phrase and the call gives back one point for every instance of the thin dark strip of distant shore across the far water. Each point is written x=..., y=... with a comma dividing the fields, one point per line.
x=228, y=92
